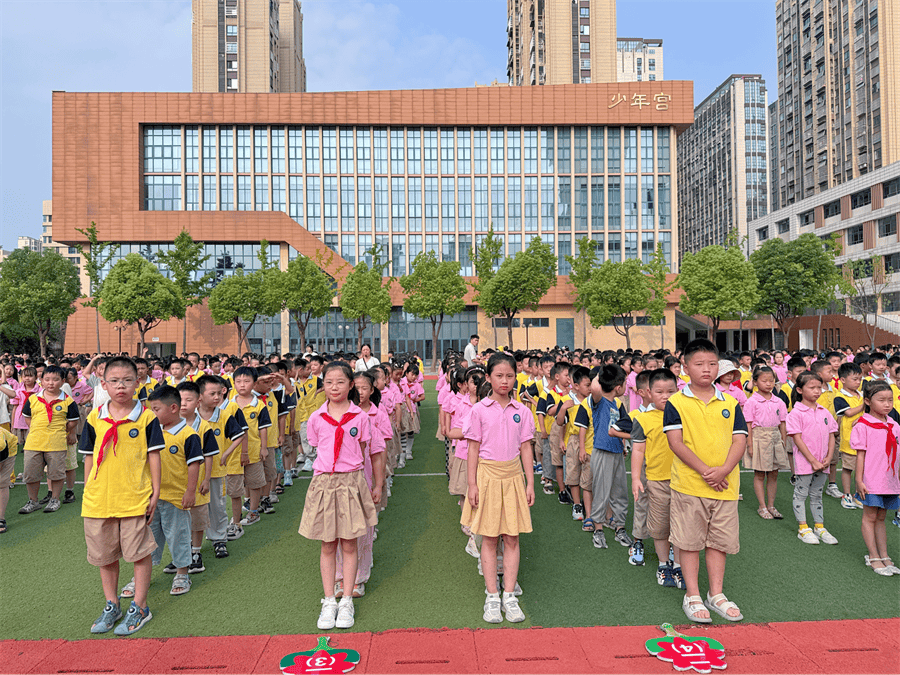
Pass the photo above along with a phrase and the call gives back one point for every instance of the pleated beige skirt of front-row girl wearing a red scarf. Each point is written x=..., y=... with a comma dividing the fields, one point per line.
x=338, y=506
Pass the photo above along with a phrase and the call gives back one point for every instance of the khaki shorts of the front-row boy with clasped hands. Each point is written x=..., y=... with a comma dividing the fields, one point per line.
x=700, y=522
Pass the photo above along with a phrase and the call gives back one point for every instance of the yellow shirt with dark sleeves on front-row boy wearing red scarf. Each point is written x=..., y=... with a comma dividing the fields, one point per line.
x=120, y=487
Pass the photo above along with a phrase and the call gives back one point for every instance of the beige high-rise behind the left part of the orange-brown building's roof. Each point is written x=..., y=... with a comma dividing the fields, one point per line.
x=247, y=46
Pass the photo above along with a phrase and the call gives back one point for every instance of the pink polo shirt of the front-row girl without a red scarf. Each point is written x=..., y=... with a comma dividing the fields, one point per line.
x=500, y=430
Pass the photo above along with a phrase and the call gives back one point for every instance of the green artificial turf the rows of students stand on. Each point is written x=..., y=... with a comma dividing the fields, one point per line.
x=422, y=577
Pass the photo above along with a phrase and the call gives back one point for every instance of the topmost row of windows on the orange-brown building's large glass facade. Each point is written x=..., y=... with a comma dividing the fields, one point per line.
x=397, y=151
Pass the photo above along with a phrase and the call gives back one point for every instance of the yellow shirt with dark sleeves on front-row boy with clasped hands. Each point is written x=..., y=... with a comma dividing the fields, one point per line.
x=707, y=430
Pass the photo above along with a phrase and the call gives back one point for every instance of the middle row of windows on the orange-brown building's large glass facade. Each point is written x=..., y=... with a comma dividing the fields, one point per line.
x=446, y=204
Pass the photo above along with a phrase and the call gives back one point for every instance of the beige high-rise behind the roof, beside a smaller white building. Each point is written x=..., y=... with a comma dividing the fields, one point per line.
x=561, y=41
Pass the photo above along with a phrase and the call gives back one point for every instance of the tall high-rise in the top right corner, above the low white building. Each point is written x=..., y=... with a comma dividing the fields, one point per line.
x=839, y=93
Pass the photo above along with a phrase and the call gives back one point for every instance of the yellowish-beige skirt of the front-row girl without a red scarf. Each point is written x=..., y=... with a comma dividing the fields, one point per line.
x=502, y=505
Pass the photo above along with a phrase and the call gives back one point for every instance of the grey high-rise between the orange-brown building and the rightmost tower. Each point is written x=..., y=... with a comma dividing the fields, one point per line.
x=723, y=164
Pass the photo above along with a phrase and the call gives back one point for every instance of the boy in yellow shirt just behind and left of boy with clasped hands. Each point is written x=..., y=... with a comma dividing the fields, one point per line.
x=651, y=453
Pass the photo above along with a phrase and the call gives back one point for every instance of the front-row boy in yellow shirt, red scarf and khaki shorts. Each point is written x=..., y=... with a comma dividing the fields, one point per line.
x=121, y=443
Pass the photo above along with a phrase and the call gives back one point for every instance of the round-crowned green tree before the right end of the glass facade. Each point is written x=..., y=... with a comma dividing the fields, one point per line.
x=615, y=294
